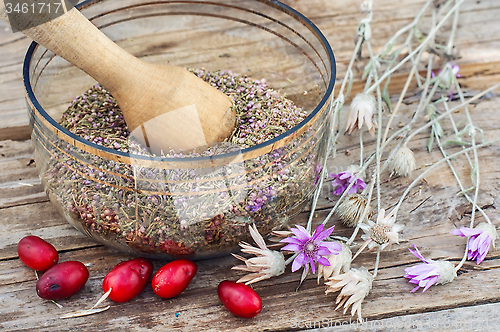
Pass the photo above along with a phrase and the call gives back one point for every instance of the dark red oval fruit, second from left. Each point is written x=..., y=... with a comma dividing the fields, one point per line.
x=62, y=280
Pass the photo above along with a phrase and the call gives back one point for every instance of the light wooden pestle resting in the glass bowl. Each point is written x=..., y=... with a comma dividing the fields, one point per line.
x=165, y=107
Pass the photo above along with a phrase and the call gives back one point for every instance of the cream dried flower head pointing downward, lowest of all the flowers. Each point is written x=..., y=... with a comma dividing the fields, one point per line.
x=354, y=286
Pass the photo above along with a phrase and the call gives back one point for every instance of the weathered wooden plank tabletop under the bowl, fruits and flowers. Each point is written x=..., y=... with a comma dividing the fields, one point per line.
x=432, y=210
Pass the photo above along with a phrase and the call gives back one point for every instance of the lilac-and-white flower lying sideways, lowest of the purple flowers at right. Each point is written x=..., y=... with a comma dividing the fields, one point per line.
x=429, y=273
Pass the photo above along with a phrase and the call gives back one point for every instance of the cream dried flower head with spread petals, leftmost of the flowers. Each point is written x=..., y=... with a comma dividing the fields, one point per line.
x=267, y=264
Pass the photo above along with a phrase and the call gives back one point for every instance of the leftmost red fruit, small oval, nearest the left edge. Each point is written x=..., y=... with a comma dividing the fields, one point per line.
x=36, y=253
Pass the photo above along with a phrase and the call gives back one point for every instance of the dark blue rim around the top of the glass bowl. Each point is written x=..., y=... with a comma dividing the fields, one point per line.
x=121, y=156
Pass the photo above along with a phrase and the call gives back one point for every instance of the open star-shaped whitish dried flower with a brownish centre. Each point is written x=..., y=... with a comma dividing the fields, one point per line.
x=382, y=233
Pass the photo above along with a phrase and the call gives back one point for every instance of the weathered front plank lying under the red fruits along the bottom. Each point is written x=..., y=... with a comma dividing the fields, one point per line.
x=199, y=307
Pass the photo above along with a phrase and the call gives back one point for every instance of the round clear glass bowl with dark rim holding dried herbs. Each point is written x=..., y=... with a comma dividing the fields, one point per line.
x=187, y=207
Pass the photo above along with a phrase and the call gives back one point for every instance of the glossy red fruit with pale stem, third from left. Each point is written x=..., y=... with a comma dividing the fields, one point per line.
x=128, y=279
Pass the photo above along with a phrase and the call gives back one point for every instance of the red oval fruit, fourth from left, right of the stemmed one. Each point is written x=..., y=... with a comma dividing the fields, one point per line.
x=173, y=278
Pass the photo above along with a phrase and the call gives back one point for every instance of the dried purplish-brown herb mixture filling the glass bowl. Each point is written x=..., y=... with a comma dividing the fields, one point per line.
x=184, y=212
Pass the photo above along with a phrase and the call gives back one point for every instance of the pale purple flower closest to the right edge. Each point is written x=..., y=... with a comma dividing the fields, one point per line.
x=480, y=239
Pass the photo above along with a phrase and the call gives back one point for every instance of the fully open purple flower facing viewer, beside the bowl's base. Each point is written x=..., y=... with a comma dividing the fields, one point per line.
x=311, y=248
